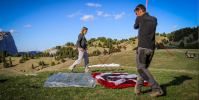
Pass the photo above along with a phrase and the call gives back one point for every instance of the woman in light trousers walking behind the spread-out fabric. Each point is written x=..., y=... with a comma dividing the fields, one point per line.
x=82, y=45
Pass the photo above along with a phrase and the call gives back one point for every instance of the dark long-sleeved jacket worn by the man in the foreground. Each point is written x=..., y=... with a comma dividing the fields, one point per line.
x=146, y=34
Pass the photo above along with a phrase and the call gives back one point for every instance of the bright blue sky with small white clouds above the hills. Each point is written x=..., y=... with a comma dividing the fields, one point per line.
x=37, y=25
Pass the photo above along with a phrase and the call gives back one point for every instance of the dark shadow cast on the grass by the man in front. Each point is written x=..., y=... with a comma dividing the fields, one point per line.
x=177, y=81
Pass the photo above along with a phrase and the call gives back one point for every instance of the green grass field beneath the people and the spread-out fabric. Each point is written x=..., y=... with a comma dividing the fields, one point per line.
x=177, y=76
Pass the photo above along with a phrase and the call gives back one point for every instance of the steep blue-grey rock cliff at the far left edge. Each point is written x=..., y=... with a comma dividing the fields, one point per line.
x=7, y=43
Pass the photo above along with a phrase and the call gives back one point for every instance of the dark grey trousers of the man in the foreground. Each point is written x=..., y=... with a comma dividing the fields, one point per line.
x=143, y=60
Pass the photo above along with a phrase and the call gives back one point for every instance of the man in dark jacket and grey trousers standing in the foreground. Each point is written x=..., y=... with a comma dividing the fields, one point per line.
x=146, y=45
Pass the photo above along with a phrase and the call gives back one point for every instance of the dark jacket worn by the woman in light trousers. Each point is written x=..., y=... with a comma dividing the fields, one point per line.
x=81, y=42
